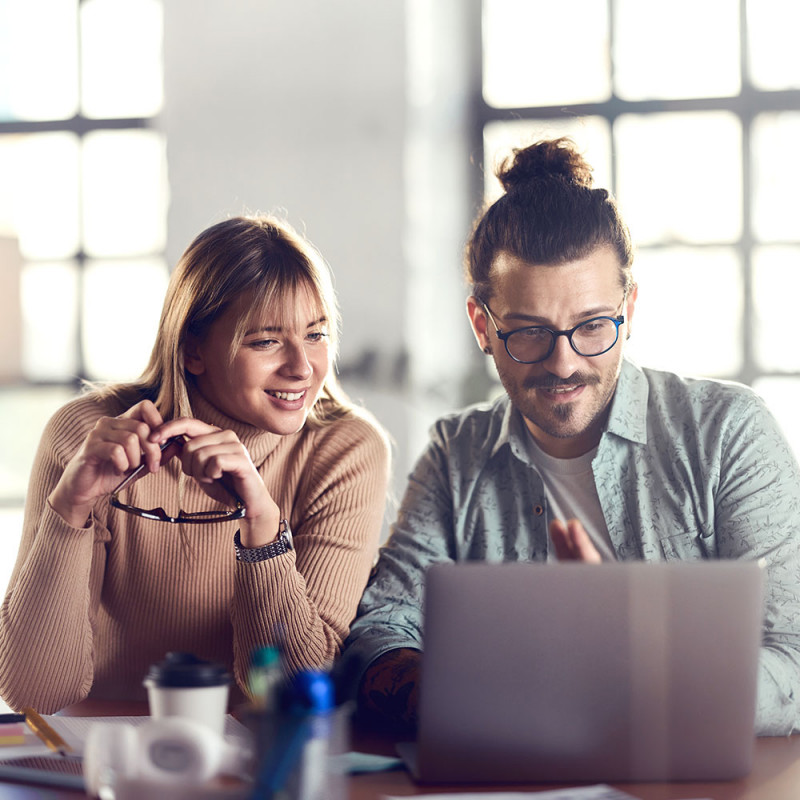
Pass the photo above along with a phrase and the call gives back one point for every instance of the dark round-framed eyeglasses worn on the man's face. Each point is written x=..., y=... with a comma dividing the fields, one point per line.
x=536, y=343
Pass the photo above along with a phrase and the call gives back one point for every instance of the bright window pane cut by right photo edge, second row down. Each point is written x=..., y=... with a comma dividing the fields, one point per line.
x=776, y=208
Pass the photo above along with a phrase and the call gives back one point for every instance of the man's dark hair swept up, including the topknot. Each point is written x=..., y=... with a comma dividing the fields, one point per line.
x=550, y=214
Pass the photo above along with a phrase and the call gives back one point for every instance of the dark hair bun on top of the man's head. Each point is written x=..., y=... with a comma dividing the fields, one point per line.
x=556, y=159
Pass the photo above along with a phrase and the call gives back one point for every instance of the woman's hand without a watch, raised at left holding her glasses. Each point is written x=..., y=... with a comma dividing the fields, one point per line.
x=114, y=447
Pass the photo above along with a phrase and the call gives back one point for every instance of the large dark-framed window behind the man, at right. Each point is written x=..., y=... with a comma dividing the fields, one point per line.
x=691, y=127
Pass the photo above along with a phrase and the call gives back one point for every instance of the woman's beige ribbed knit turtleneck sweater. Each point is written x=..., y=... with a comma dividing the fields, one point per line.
x=89, y=609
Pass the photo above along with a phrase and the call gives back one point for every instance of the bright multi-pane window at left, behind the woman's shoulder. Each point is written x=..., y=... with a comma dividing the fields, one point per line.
x=82, y=210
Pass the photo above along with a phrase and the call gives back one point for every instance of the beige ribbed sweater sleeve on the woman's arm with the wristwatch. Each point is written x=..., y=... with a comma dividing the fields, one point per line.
x=308, y=597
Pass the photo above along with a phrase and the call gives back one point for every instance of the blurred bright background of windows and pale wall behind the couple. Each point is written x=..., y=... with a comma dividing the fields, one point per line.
x=127, y=126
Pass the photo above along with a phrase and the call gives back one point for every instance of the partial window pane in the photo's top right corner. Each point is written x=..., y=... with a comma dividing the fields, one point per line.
x=772, y=30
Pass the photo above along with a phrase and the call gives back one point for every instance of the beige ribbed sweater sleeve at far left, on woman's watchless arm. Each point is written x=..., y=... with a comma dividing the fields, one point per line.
x=46, y=648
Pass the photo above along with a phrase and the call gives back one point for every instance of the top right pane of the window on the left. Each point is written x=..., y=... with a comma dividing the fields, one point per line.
x=121, y=58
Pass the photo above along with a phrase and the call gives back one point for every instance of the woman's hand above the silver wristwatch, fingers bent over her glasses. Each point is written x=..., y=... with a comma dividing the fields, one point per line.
x=217, y=460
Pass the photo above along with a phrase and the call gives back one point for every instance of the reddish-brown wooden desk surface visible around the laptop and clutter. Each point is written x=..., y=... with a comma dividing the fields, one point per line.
x=775, y=774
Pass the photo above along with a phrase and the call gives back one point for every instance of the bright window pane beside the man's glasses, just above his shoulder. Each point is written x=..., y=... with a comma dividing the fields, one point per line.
x=689, y=311
